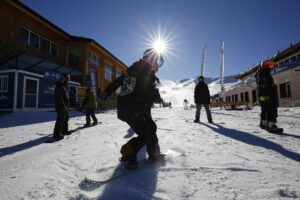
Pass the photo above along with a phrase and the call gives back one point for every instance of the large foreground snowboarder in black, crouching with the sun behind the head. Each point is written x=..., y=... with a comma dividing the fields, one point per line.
x=138, y=88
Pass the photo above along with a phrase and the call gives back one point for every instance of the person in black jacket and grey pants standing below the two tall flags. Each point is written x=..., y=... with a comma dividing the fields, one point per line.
x=202, y=97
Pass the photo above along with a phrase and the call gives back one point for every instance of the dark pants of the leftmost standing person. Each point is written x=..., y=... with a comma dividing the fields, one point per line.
x=61, y=124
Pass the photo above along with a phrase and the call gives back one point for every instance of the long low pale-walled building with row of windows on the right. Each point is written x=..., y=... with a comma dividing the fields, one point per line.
x=286, y=75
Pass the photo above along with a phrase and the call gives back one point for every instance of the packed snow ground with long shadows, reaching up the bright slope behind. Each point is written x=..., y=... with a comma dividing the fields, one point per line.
x=231, y=159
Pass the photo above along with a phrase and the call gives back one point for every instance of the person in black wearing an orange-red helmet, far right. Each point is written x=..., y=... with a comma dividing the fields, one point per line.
x=268, y=97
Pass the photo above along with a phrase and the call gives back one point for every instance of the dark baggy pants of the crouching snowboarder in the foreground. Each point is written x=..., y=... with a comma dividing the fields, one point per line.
x=144, y=126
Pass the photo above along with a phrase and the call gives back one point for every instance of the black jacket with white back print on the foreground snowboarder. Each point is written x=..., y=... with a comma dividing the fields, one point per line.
x=138, y=89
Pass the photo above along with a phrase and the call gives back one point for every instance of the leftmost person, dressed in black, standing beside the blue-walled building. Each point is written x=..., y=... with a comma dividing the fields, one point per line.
x=61, y=108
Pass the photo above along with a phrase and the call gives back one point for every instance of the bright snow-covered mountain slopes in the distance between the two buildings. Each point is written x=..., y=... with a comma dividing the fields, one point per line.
x=176, y=92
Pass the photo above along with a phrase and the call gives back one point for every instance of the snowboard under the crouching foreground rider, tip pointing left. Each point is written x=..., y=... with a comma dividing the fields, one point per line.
x=105, y=175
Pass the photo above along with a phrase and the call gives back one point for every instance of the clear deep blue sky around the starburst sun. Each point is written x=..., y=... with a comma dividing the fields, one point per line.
x=252, y=29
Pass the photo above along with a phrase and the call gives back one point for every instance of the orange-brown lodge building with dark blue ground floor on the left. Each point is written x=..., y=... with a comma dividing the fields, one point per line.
x=34, y=53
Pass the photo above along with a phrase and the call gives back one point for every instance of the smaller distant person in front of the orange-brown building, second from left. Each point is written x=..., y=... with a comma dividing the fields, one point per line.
x=90, y=105
